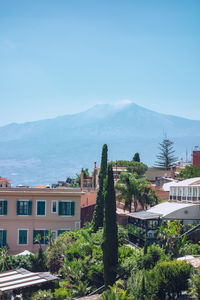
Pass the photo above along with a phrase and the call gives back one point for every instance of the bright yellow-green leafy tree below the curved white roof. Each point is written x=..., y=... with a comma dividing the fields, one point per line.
x=169, y=235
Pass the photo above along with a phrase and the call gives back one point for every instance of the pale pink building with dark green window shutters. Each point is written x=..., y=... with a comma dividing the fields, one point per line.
x=26, y=212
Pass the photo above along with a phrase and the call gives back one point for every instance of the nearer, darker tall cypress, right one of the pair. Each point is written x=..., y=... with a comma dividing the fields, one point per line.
x=110, y=237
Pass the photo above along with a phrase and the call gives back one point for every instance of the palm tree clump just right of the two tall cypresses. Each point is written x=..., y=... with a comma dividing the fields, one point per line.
x=136, y=190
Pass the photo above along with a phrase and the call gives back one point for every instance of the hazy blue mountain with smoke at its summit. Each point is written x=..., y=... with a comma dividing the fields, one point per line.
x=45, y=151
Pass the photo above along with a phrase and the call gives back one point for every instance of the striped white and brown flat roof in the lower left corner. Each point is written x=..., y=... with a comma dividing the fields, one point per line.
x=21, y=278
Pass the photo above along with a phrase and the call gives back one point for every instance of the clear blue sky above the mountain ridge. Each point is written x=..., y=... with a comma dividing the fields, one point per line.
x=63, y=56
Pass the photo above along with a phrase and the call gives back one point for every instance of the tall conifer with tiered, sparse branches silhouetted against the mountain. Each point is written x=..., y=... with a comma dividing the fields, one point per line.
x=166, y=158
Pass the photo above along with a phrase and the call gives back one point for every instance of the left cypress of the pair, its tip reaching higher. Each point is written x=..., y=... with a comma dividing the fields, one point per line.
x=99, y=207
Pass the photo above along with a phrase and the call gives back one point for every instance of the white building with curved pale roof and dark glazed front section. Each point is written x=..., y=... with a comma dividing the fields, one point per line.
x=183, y=205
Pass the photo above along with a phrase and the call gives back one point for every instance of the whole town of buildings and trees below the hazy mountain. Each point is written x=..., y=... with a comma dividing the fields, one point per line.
x=125, y=232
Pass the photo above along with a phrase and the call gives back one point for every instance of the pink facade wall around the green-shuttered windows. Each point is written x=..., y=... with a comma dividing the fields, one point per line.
x=52, y=221
